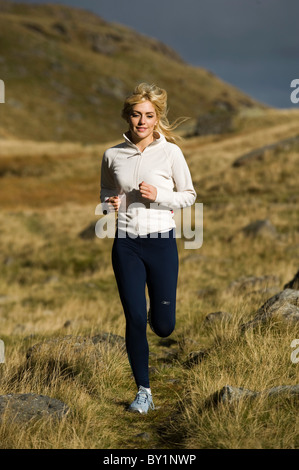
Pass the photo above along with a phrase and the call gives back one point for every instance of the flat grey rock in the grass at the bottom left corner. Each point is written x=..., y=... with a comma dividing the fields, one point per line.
x=24, y=407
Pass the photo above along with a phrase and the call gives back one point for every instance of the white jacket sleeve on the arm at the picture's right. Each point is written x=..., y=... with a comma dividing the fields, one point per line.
x=185, y=194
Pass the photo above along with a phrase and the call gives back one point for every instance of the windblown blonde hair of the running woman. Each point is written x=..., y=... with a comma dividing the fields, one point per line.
x=158, y=97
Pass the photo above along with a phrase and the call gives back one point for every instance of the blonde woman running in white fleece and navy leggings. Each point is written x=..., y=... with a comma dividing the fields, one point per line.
x=137, y=180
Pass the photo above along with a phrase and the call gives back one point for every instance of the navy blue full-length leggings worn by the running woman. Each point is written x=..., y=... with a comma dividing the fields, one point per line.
x=138, y=262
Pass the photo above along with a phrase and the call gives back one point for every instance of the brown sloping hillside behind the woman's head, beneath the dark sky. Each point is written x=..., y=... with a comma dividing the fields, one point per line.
x=67, y=71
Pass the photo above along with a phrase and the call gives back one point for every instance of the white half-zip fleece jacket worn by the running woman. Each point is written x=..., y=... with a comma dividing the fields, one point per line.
x=161, y=164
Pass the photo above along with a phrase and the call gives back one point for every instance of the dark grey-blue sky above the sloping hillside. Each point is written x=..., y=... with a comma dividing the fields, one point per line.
x=253, y=44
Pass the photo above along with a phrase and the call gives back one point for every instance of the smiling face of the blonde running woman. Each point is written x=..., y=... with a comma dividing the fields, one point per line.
x=142, y=120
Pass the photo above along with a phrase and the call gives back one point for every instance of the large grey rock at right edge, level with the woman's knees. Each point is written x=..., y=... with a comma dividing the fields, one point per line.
x=284, y=305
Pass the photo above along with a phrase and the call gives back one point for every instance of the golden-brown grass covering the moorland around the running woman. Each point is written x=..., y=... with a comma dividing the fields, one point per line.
x=54, y=284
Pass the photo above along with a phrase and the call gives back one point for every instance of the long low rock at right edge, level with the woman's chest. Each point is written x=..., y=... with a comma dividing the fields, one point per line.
x=260, y=153
